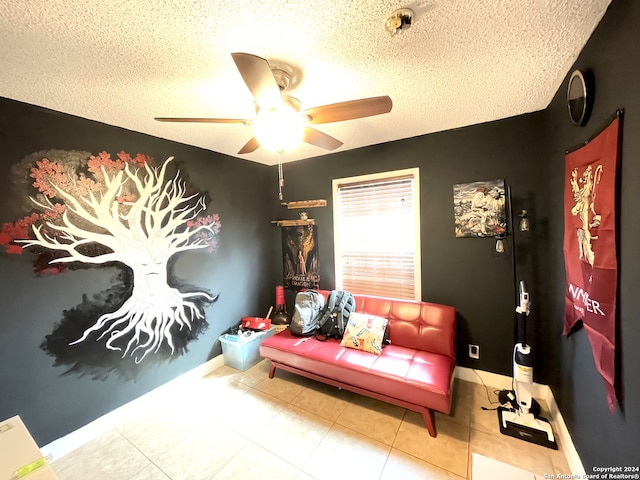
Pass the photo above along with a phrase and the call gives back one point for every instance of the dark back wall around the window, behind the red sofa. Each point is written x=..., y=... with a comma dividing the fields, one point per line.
x=463, y=272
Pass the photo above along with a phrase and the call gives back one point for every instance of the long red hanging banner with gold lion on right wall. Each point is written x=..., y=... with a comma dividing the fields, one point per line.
x=590, y=247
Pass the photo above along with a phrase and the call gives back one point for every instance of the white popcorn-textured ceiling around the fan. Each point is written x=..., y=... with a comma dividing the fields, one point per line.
x=123, y=62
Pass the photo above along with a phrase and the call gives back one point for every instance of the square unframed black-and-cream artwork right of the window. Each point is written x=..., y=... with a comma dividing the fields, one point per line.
x=479, y=209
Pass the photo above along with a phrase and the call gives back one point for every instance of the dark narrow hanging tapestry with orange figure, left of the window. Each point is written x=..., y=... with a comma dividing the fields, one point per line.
x=300, y=257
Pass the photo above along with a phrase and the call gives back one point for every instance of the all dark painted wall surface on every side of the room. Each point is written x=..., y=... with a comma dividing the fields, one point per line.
x=527, y=151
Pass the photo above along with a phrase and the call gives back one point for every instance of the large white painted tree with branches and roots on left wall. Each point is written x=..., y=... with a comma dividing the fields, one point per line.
x=129, y=214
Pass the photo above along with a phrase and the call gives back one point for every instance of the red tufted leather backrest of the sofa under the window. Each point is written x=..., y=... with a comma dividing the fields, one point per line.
x=424, y=326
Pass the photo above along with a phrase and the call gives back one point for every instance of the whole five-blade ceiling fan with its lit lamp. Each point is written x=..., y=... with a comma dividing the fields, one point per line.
x=280, y=124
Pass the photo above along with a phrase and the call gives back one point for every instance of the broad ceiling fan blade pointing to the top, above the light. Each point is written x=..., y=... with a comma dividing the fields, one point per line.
x=257, y=74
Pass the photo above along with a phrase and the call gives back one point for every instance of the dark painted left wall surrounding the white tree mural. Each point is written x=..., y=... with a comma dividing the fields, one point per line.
x=52, y=403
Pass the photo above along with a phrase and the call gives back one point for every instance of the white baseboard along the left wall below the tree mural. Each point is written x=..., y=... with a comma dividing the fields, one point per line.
x=62, y=446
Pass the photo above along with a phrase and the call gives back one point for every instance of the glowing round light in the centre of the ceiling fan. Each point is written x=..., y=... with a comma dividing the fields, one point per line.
x=279, y=129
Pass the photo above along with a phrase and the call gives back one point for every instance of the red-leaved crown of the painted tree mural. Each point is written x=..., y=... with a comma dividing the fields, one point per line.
x=82, y=181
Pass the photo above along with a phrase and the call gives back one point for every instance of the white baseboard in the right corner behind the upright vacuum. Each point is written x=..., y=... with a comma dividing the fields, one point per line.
x=539, y=391
